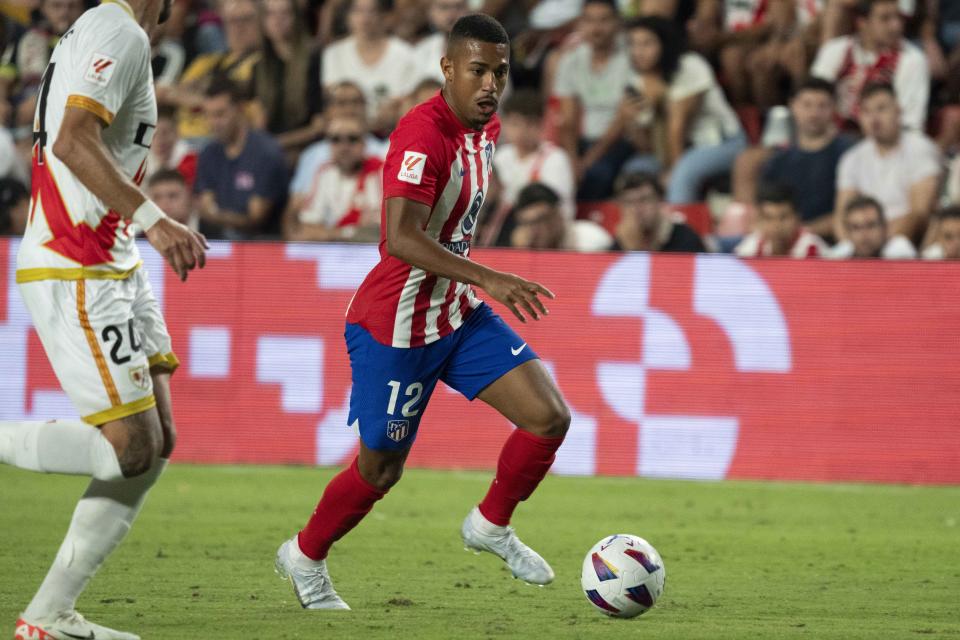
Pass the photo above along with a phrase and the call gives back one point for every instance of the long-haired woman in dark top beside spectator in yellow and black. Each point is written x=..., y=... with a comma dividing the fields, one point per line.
x=286, y=79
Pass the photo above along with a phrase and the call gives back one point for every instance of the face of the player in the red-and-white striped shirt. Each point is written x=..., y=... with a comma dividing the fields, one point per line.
x=476, y=75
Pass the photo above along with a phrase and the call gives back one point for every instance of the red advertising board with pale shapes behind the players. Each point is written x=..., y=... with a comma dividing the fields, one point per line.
x=674, y=366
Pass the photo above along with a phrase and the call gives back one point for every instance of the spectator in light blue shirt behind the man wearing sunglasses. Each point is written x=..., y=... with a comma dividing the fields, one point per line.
x=344, y=99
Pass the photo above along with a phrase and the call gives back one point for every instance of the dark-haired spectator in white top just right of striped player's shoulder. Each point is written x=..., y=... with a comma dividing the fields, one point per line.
x=526, y=157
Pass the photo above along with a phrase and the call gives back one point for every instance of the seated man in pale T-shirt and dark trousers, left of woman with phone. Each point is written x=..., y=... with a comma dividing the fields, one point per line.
x=589, y=83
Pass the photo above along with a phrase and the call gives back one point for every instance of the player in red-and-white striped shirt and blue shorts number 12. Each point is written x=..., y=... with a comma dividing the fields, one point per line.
x=416, y=320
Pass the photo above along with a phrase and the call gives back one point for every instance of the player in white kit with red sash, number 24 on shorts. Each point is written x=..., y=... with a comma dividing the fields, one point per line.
x=92, y=306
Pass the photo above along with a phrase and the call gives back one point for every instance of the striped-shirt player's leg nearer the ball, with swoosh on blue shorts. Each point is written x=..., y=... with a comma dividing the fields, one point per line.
x=494, y=364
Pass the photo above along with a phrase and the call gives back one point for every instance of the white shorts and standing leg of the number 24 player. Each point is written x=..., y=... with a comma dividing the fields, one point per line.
x=119, y=395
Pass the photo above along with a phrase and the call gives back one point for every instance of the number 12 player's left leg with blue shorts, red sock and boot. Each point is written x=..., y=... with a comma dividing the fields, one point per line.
x=390, y=389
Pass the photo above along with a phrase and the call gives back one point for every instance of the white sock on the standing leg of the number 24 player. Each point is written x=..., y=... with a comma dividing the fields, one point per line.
x=101, y=520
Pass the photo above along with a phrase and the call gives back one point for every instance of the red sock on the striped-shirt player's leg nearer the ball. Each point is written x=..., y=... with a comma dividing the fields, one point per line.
x=524, y=461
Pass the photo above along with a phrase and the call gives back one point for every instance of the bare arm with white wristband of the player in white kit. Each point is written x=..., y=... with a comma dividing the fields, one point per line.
x=79, y=145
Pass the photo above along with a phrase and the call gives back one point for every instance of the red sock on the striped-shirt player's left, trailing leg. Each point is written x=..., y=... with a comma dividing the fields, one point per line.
x=346, y=500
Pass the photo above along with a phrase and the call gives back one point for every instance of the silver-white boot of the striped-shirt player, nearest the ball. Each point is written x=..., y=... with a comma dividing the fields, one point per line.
x=479, y=534
